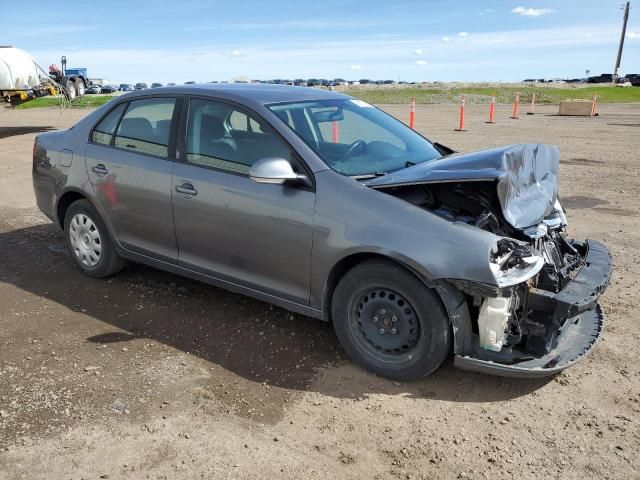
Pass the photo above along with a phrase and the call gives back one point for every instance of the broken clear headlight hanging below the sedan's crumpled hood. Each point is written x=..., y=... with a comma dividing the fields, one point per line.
x=514, y=262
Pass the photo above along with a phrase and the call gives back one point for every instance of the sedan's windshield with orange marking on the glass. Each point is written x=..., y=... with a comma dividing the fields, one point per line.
x=353, y=137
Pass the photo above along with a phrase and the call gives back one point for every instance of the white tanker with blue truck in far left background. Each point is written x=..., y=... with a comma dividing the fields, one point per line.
x=21, y=79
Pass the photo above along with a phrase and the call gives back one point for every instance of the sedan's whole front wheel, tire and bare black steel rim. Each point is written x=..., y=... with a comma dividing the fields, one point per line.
x=389, y=322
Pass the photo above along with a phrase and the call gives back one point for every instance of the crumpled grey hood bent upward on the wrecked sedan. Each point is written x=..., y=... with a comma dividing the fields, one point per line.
x=526, y=177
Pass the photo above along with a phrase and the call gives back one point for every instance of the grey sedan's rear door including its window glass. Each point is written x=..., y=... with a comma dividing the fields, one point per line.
x=130, y=164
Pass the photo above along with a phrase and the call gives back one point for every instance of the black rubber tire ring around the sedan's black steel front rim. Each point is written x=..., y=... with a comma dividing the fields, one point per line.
x=435, y=338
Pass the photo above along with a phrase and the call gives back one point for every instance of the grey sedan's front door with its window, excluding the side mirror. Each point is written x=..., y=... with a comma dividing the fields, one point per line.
x=228, y=226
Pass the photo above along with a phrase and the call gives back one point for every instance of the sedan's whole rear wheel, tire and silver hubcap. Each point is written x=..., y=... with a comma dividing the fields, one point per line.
x=89, y=242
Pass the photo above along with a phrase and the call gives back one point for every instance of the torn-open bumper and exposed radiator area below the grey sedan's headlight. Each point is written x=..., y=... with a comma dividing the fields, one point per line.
x=541, y=325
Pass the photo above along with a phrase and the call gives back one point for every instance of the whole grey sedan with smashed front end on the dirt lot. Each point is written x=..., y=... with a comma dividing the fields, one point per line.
x=408, y=248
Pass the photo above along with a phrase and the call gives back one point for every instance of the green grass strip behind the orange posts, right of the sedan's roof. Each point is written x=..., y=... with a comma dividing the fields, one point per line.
x=544, y=95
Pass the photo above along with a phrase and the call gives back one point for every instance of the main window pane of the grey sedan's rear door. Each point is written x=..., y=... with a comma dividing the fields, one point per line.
x=146, y=126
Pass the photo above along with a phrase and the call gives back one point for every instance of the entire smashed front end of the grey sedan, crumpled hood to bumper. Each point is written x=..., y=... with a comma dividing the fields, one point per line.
x=541, y=312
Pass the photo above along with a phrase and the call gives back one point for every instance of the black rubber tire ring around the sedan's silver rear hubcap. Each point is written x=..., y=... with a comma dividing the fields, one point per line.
x=108, y=256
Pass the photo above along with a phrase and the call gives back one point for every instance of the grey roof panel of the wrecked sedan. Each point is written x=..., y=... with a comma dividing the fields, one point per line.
x=252, y=92
